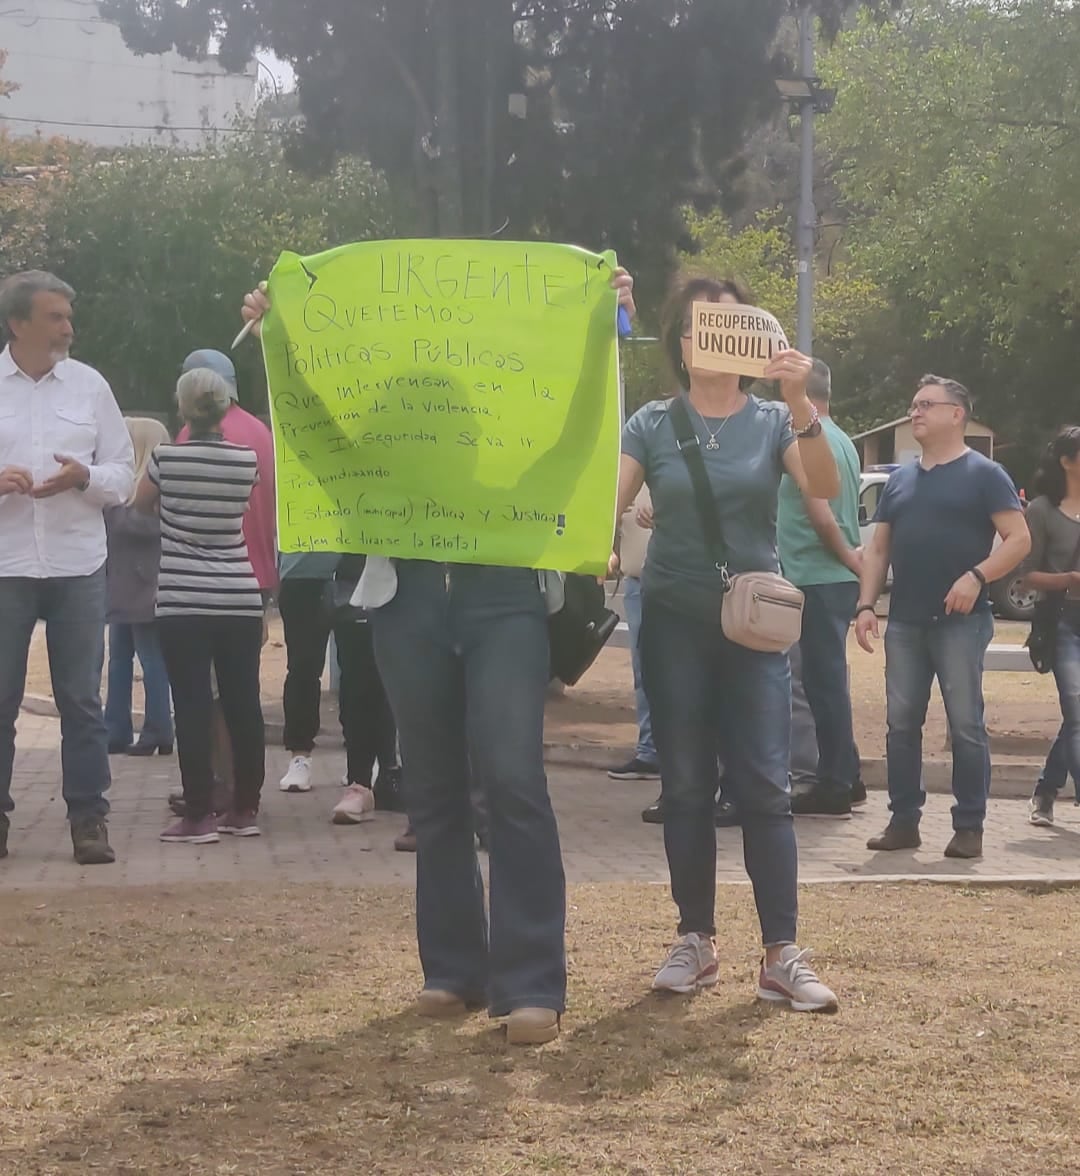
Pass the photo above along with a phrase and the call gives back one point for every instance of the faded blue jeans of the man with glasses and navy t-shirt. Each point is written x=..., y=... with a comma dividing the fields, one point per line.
x=951, y=649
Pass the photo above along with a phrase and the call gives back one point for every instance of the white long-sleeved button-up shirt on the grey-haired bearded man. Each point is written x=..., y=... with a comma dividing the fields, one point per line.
x=70, y=412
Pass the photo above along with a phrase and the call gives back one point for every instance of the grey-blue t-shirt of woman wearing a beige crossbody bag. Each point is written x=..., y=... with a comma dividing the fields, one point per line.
x=745, y=476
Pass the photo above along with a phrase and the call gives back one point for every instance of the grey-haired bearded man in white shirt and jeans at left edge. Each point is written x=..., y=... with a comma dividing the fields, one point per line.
x=65, y=456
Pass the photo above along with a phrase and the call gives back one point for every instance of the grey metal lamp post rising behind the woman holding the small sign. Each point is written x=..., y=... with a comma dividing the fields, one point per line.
x=806, y=93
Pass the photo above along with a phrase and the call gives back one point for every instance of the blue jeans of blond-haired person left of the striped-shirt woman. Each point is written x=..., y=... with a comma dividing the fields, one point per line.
x=124, y=643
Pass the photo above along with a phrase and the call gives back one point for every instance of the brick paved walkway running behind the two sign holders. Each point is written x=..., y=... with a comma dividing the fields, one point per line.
x=603, y=837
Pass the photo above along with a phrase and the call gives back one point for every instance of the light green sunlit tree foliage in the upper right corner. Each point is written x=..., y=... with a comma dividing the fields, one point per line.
x=956, y=146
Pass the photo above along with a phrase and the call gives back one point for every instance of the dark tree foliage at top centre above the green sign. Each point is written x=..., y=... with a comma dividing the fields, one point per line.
x=635, y=108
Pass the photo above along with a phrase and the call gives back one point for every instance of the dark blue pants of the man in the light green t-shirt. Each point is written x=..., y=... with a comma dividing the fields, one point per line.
x=826, y=618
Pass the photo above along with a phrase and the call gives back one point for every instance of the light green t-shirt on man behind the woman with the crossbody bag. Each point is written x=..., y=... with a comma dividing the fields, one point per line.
x=803, y=556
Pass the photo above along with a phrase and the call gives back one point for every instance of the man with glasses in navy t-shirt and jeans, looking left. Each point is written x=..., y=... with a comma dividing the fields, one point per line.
x=936, y=523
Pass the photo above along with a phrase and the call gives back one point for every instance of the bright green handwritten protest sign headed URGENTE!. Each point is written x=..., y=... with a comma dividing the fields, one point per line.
x=446, y=400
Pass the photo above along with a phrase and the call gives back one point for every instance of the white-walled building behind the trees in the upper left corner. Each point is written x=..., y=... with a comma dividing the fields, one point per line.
x=78, y=79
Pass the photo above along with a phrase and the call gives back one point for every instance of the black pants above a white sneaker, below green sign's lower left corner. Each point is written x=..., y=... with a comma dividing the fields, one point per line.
x=306, y=633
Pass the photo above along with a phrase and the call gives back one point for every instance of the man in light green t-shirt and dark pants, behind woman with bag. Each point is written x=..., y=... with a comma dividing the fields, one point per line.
x=821, y=554
